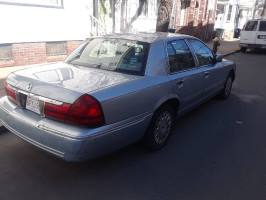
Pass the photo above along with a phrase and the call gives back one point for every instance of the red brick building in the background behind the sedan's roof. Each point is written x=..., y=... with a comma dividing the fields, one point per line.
x=194, y=17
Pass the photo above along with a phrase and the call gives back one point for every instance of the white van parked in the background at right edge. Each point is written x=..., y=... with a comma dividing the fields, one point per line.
x=253, y=35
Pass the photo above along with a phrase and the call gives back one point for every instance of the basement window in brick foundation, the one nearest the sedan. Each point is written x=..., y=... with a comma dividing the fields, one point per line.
x=56, y=48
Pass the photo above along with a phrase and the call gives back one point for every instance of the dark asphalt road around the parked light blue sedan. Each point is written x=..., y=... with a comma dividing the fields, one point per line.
x=217, y=152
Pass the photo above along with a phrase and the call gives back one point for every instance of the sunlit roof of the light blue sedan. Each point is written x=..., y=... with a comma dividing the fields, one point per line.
x=147, y=37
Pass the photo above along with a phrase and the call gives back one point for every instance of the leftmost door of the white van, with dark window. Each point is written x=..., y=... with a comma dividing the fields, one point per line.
x=248, y=34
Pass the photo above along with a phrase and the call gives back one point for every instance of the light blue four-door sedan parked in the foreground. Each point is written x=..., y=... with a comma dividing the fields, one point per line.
x=113, y=91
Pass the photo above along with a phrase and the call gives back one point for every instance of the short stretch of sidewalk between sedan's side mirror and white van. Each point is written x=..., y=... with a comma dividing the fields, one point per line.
x=227, y=47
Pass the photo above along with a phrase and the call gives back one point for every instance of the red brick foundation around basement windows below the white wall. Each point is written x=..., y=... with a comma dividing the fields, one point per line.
x=34, y=53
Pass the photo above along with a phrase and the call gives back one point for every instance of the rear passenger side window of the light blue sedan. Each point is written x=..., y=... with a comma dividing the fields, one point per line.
x=180, y=57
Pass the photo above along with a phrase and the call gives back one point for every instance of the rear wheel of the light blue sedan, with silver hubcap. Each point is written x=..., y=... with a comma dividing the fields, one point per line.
x=160, y=128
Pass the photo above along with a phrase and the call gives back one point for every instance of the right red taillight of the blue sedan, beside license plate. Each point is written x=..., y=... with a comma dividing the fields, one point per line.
x=85, y=111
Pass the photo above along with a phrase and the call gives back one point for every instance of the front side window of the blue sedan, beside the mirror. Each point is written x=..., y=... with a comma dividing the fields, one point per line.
x=203, y=53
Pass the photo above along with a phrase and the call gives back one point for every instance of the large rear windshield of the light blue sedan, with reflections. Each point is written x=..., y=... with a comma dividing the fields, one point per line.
x=125, y=56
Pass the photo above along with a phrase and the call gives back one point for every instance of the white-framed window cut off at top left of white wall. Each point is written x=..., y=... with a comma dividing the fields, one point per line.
x=38, y=3
